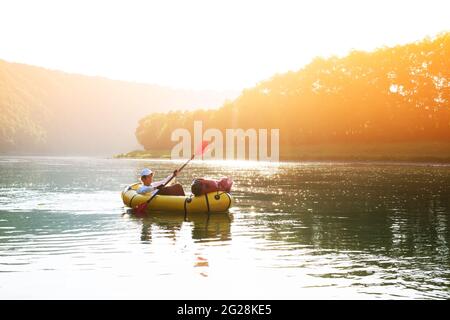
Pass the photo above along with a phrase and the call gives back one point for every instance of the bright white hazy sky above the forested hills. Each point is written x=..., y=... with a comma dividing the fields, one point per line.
x=205, y=44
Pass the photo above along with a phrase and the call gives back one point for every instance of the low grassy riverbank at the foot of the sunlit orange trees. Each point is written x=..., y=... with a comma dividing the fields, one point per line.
x=438, y=152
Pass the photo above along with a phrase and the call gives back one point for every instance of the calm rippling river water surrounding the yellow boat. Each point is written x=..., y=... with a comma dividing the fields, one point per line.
x=295, y=231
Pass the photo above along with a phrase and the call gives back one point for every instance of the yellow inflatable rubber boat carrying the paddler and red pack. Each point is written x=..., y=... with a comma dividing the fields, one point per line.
x=212, y=202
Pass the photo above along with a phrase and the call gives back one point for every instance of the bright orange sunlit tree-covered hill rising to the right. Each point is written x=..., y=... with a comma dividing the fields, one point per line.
x=396, y=94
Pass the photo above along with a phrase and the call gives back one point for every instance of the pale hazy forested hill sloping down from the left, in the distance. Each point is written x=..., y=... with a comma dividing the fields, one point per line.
x=44, y=111
